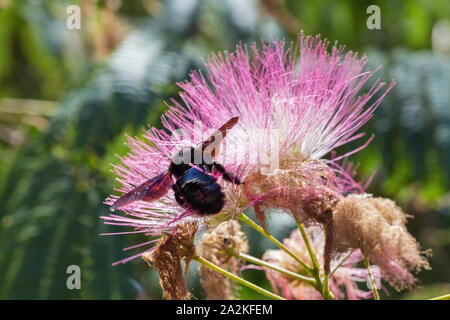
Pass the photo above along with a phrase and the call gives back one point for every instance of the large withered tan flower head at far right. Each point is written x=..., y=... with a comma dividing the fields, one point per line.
x=377, y=227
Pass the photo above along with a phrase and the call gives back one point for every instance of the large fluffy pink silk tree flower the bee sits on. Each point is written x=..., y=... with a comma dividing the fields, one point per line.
x=295, y=104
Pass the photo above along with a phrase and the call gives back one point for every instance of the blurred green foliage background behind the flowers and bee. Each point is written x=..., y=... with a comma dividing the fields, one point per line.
x=68, y=96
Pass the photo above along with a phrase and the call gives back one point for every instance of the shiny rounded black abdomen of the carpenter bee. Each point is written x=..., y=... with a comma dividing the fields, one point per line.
x=201, y=191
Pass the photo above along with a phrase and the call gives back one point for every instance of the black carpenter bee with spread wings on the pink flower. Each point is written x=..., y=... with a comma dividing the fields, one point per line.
x=195, y=187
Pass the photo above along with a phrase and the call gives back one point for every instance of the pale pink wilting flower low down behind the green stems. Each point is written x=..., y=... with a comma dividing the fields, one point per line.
x=343, y=283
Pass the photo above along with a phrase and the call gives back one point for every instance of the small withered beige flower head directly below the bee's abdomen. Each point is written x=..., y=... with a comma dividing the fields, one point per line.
x=216, y=246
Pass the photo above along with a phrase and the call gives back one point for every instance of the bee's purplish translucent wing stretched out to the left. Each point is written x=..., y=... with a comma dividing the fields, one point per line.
x=150, y=190
